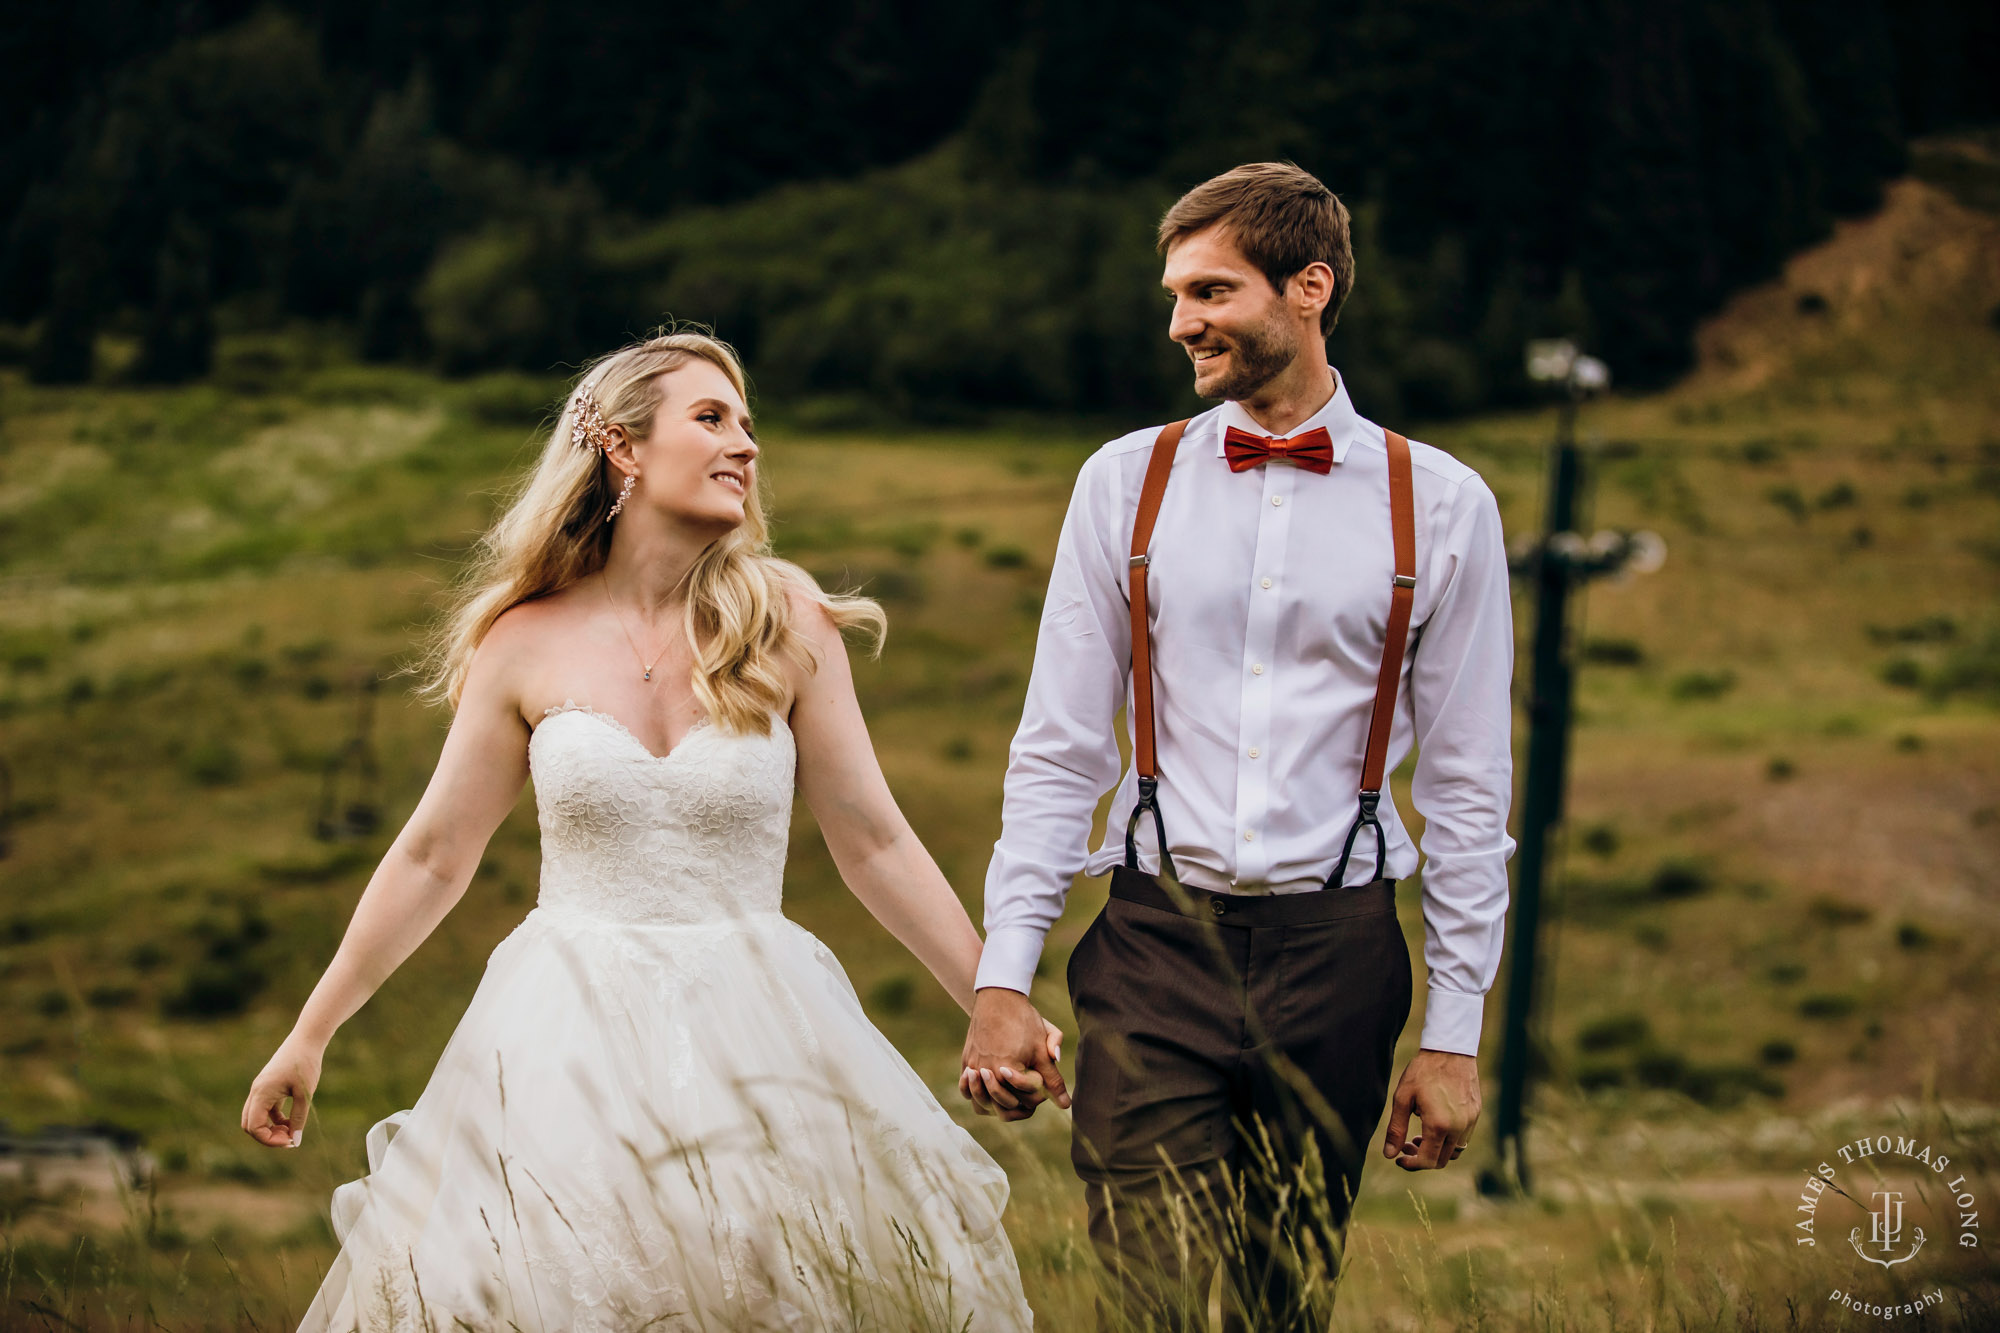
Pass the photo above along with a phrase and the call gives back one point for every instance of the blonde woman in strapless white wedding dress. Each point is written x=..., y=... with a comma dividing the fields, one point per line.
x=663, y=1106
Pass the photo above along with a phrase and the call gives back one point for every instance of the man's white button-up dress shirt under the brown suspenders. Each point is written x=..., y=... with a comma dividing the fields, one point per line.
x=1269, y=593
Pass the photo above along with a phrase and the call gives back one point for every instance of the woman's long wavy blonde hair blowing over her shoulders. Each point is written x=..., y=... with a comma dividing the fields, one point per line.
x=555, y=531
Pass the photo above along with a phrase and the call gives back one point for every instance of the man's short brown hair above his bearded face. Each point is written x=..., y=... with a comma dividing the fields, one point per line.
x=1281, y=217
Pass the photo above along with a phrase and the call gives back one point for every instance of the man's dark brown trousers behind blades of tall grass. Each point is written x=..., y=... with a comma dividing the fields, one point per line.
x=1233, y=1064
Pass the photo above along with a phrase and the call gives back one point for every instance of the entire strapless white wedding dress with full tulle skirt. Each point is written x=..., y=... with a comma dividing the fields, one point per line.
x=665, y=1106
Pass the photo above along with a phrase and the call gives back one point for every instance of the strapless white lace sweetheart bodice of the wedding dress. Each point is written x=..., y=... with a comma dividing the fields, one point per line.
x=691, y=838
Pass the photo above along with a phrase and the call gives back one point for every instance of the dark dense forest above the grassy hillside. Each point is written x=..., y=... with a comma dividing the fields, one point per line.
x=921, y=209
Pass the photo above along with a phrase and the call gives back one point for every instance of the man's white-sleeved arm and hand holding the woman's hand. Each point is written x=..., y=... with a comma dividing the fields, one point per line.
x=1065, y=758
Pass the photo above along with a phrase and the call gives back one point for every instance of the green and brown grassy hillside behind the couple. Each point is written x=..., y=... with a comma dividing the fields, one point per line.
x=1777, y=920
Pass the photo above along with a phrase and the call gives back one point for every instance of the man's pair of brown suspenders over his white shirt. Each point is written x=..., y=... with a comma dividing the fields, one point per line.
x=1403, y=595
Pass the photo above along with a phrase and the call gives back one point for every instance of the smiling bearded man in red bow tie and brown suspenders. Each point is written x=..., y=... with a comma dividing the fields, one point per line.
x=1285, y=597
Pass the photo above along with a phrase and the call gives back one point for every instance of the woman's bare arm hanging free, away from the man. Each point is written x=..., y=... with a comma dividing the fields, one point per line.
x=425, y=874
